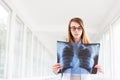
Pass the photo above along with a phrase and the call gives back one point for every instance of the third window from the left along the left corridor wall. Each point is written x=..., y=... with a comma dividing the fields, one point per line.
x=28, y=57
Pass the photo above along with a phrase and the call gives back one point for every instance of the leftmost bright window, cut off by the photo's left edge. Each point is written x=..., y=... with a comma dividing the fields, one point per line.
x=4, y=23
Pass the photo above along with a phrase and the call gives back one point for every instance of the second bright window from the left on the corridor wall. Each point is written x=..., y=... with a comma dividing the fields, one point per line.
x=18, y=48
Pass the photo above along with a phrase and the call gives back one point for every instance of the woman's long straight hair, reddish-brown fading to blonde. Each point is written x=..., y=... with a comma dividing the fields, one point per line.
x=83, y=36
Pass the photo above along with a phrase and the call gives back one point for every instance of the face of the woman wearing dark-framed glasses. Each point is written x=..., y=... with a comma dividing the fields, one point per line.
x=76, y=30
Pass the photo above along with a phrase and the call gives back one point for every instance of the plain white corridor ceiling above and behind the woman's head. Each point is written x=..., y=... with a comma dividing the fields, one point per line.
x=51, y=17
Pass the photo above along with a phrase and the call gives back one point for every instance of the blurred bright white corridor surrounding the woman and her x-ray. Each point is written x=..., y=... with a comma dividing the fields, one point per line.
x=29, y=30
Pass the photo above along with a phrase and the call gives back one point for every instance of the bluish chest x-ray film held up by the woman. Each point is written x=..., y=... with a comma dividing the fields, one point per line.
x=78, y=58
